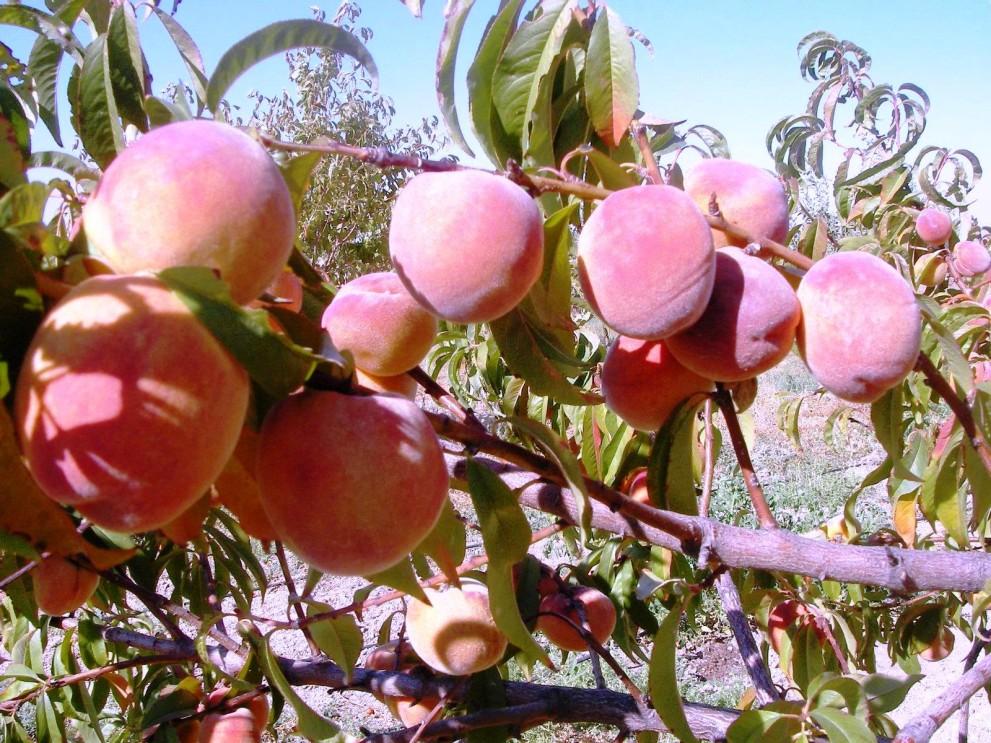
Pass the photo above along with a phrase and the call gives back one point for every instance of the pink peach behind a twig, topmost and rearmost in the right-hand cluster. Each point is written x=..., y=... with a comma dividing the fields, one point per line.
x=749, y=197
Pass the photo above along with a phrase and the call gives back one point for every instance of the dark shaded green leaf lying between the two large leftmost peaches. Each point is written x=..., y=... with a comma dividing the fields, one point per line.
x=275, y=363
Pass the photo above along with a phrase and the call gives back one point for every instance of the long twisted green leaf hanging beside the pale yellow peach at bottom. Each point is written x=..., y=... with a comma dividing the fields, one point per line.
x=506, y=537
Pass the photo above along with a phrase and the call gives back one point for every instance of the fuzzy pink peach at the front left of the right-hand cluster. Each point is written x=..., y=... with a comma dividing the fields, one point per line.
x=645, y=261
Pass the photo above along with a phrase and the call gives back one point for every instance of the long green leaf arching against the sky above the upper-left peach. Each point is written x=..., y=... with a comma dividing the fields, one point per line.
x=281, y=37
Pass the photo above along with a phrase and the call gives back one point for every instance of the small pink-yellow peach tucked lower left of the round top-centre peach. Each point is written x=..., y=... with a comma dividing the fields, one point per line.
x=385, y=329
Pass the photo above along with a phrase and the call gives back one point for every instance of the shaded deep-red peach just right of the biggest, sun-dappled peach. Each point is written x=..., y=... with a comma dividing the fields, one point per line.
x=352, y=484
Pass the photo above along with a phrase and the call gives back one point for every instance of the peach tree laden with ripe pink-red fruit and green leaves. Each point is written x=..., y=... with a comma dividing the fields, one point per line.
x=575, y=329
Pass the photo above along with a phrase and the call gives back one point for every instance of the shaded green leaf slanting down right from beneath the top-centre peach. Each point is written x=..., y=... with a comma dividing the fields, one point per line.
x=525, y=358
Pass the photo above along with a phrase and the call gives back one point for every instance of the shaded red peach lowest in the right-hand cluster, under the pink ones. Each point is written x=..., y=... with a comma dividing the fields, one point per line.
x=642, y=382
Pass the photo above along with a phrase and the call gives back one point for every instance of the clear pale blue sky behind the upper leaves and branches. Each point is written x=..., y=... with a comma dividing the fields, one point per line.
x=728, y=63
